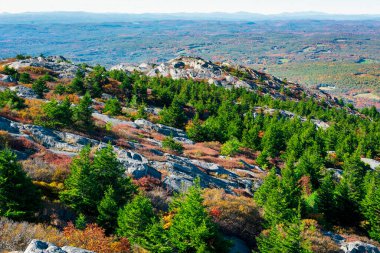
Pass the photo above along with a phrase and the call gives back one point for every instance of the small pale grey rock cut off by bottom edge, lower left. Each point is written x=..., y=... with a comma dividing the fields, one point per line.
x=37, y=246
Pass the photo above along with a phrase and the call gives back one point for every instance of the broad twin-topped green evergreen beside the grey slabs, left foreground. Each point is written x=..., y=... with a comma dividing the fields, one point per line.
x=90, y=179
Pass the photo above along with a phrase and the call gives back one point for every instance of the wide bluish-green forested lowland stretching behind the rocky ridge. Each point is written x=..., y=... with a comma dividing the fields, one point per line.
x=341, y=53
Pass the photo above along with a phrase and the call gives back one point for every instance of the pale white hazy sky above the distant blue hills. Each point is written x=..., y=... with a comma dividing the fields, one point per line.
x=143, y=6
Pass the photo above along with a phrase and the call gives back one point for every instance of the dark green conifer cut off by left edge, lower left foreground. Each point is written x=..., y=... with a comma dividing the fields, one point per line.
x=19, y=198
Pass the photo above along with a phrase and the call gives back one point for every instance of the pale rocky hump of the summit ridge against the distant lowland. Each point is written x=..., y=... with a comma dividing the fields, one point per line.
x=227, y=76
